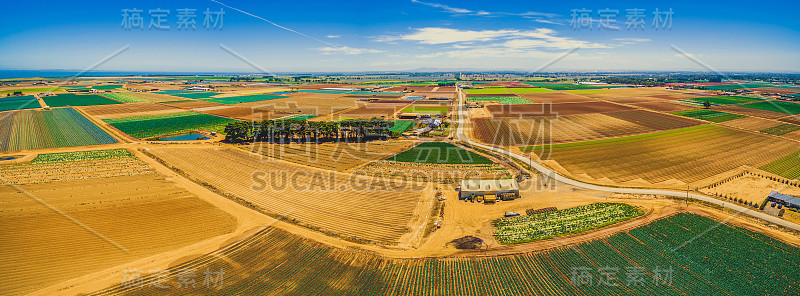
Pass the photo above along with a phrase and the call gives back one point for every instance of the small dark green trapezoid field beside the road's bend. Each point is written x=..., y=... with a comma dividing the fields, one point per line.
x=440, y=152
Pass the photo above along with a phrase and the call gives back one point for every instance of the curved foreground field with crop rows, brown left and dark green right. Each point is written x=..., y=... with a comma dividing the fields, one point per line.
x=279, y=263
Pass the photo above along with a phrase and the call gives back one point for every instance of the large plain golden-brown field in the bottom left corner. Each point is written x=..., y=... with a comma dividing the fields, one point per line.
x=144, y=214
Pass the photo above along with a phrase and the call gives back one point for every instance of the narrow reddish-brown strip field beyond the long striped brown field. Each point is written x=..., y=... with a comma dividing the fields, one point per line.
x=559, y=109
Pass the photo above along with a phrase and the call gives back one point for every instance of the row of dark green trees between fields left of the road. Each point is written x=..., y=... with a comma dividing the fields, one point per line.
x=301, y=130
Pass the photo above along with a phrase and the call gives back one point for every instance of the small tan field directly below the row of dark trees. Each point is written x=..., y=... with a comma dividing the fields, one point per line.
x=331, y=156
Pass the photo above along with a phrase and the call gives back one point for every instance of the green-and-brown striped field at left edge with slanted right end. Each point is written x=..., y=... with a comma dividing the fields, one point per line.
x=60, y=127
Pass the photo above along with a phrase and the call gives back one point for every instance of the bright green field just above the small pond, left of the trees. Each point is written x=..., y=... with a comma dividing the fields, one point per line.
x=165, y=124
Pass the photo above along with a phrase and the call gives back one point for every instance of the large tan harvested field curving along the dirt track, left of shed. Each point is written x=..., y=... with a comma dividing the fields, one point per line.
x=337, y=204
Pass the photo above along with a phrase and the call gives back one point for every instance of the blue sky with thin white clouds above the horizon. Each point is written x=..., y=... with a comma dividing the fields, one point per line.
x=320, y=36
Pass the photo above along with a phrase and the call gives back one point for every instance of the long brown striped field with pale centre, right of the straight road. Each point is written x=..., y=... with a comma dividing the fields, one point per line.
x=569, y=128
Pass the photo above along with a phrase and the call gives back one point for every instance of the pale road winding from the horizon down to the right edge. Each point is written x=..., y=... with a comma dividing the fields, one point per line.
x=546, y=171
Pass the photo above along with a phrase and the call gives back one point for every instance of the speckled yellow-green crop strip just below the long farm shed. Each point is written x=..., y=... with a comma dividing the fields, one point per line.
x=522, y=229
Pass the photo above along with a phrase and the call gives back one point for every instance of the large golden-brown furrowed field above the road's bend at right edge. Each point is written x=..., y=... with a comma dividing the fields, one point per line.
x=688, y=154
